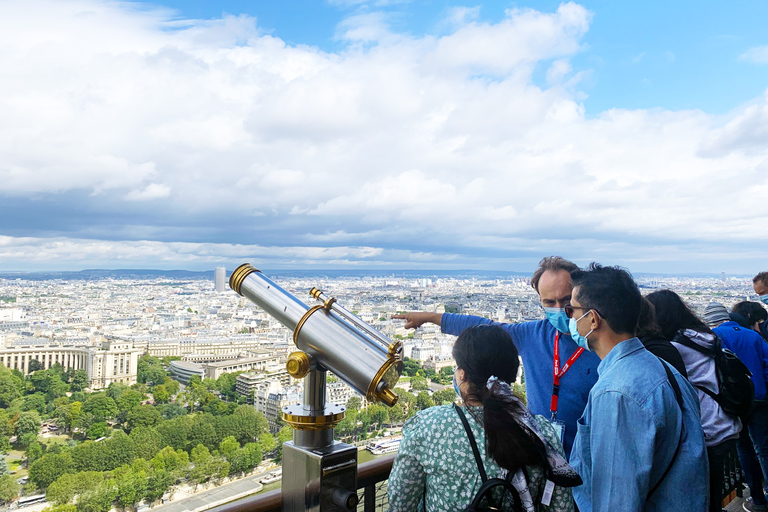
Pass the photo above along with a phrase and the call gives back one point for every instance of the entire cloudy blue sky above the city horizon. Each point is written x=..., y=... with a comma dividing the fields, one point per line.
x=383, y=134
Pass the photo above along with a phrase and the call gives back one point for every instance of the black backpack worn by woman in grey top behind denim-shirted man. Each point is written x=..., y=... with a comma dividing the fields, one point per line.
x=737, y=392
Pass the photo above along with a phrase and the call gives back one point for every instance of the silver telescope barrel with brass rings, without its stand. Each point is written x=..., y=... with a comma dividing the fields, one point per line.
x=359, y=359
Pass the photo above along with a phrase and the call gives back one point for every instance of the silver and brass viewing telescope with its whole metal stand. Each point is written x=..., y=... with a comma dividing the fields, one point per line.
x=320, y=474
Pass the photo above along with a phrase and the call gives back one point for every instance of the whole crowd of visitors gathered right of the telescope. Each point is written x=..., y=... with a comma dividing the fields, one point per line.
x=633, y=403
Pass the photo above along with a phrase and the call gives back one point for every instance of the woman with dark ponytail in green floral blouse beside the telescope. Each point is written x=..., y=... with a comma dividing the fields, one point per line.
x=436, y=468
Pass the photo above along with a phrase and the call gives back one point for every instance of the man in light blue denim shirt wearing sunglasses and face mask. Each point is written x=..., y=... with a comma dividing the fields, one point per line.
x=633, y=433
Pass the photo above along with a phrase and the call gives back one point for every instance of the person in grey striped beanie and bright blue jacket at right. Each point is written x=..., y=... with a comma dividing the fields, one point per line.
x=750, y=348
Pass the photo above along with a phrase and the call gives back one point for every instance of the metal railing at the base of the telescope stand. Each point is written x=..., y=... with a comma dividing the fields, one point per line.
x=371, y=479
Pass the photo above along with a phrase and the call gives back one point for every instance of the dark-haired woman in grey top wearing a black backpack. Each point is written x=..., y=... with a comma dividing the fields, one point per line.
x=721, y=431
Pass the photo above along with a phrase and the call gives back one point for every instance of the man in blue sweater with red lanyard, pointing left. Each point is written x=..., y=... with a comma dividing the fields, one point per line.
x=558, y=374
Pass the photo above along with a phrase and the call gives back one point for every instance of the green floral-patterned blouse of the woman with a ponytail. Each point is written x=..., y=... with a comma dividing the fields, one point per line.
x=435, y=469
